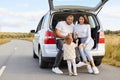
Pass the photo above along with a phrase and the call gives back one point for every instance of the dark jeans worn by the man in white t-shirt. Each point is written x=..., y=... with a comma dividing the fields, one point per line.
x=60, y=53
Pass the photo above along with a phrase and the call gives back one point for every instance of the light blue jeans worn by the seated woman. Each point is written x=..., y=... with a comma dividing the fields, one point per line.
x=85, y=52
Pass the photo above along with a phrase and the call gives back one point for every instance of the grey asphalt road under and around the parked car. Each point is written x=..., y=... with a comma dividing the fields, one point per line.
x=16, y=63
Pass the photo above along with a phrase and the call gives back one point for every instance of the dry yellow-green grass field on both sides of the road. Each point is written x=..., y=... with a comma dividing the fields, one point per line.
x=112, y=42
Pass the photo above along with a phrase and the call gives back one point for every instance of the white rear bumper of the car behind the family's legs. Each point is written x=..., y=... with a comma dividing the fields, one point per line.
x=49, y=53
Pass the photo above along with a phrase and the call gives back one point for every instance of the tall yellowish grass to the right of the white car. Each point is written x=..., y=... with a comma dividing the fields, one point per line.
x=112, y=54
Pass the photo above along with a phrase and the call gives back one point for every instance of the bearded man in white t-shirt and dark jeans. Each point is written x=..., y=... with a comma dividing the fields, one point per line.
x=62, y=29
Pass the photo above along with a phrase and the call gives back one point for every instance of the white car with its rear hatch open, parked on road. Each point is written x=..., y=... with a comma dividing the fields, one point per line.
x=44, y=42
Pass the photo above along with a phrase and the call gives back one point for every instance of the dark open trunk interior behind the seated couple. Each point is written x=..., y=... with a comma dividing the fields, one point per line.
x=61, y=16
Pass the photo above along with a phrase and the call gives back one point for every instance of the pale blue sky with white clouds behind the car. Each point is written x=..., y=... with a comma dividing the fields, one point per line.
x=24, y=15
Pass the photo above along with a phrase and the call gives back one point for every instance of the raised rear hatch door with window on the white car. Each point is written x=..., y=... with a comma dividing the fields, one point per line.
x=83, y=5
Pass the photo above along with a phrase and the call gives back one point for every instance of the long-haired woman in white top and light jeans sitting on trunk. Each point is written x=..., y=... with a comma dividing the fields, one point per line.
x=83, y=32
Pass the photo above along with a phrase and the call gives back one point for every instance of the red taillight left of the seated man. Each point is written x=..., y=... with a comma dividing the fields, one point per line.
x=49, y=38
